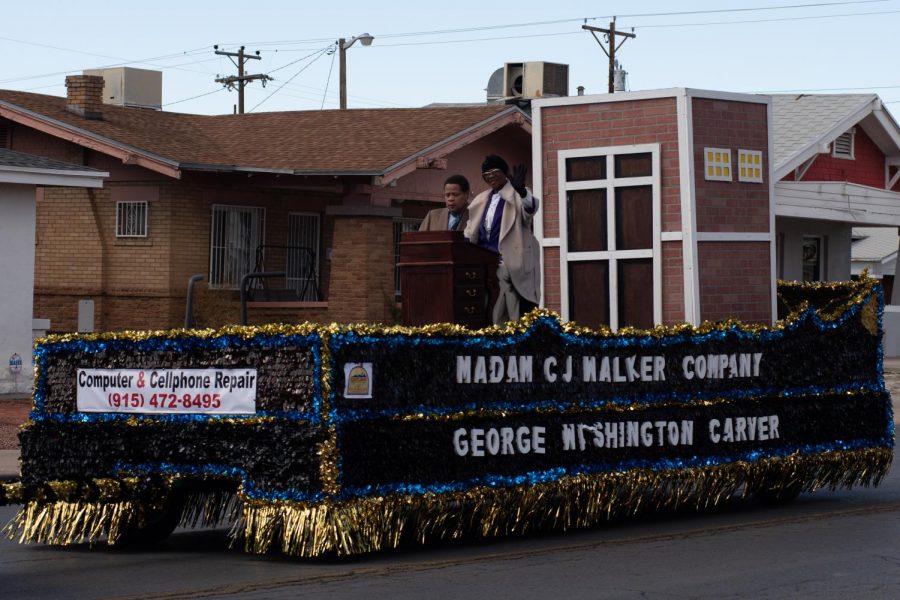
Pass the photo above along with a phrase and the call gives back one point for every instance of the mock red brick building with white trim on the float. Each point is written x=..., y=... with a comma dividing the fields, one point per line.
x=658, y=207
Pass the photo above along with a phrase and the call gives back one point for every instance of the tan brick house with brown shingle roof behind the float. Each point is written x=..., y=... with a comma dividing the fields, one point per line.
x=318, y=195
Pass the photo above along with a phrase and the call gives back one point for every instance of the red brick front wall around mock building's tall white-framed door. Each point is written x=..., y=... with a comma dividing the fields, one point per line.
x=620, y=123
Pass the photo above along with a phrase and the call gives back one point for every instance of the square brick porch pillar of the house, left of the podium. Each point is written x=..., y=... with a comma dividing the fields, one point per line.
x=361, y=285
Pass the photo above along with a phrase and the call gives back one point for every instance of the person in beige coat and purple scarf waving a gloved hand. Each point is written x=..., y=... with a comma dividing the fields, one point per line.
x=500, y=220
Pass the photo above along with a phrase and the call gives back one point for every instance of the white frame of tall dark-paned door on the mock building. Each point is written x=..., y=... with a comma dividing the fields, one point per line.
x=610, y=184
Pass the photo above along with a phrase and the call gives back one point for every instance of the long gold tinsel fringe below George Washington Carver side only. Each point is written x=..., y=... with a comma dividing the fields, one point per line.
x=372, y=524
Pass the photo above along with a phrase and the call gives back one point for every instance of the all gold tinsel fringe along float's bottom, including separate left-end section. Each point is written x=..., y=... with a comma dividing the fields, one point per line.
x=371, y=524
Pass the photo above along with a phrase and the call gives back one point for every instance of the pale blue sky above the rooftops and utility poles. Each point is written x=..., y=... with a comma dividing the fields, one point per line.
x=445, y=52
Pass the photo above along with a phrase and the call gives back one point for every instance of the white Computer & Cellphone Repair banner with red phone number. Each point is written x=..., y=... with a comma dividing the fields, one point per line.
x=167, y=391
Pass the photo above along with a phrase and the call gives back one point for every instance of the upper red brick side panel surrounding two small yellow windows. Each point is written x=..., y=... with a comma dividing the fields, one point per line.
x=730, y=205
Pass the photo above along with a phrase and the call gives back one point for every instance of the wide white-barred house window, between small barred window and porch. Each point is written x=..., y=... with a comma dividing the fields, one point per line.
x=235, y=234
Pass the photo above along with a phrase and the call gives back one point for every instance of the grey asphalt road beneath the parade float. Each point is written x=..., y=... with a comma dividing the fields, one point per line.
x=843, y=544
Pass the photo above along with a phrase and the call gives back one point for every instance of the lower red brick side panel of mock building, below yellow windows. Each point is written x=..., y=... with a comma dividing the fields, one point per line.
x=735, y=281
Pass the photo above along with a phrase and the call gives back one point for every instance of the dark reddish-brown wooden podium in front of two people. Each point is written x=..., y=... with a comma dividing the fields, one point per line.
x=444, y=278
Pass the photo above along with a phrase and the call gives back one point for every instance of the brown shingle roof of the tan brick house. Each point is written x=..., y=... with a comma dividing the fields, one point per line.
x=332, y=141
